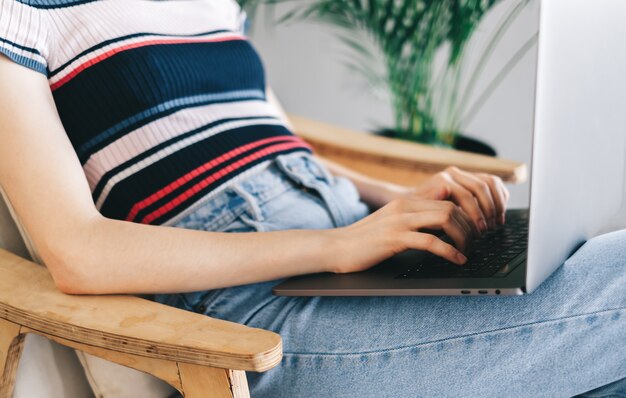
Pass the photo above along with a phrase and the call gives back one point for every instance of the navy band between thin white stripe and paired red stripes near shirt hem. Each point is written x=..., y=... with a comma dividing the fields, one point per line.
x=151, y=179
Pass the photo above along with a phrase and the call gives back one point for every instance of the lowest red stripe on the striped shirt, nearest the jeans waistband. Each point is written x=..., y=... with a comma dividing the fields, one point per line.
x=180, y=199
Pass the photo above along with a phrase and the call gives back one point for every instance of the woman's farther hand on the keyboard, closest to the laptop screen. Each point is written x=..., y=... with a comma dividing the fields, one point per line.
x=482, y=196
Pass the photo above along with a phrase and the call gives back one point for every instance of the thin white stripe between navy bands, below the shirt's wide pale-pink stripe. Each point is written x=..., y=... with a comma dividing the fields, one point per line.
x=175, y=148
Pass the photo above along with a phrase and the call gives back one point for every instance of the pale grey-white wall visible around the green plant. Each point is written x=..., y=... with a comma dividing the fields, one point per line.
x=305, y=66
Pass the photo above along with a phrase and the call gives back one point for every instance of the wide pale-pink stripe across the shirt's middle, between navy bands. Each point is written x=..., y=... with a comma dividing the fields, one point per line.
x=164, y=129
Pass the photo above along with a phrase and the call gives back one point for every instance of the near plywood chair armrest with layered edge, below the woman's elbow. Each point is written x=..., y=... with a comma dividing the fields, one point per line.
x=128, y=324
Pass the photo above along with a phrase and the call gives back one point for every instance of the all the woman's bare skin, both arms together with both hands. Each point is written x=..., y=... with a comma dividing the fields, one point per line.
x=87, y=253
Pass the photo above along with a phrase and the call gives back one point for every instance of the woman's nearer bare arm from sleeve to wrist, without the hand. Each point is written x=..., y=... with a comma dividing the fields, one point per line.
x=88, y=253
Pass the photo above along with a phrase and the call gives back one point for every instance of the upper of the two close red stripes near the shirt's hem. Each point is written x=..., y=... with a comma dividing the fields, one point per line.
x=202, y=169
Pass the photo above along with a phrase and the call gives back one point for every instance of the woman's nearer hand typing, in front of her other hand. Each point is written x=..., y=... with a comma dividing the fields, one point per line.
x=398, y=227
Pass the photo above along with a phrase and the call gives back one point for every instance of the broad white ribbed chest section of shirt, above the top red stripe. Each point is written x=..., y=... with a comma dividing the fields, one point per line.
x=92, y=23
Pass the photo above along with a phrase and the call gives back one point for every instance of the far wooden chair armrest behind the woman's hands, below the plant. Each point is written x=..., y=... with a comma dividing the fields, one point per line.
x=367, y=152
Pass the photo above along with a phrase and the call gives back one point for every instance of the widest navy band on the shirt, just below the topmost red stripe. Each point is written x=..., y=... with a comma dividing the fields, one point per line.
x=134, y=81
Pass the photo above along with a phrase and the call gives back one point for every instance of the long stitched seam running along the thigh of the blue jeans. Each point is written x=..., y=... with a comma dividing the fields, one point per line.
x=381, y=351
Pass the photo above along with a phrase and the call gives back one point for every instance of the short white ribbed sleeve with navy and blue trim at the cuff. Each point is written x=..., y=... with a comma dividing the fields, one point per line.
x=23, y=34
